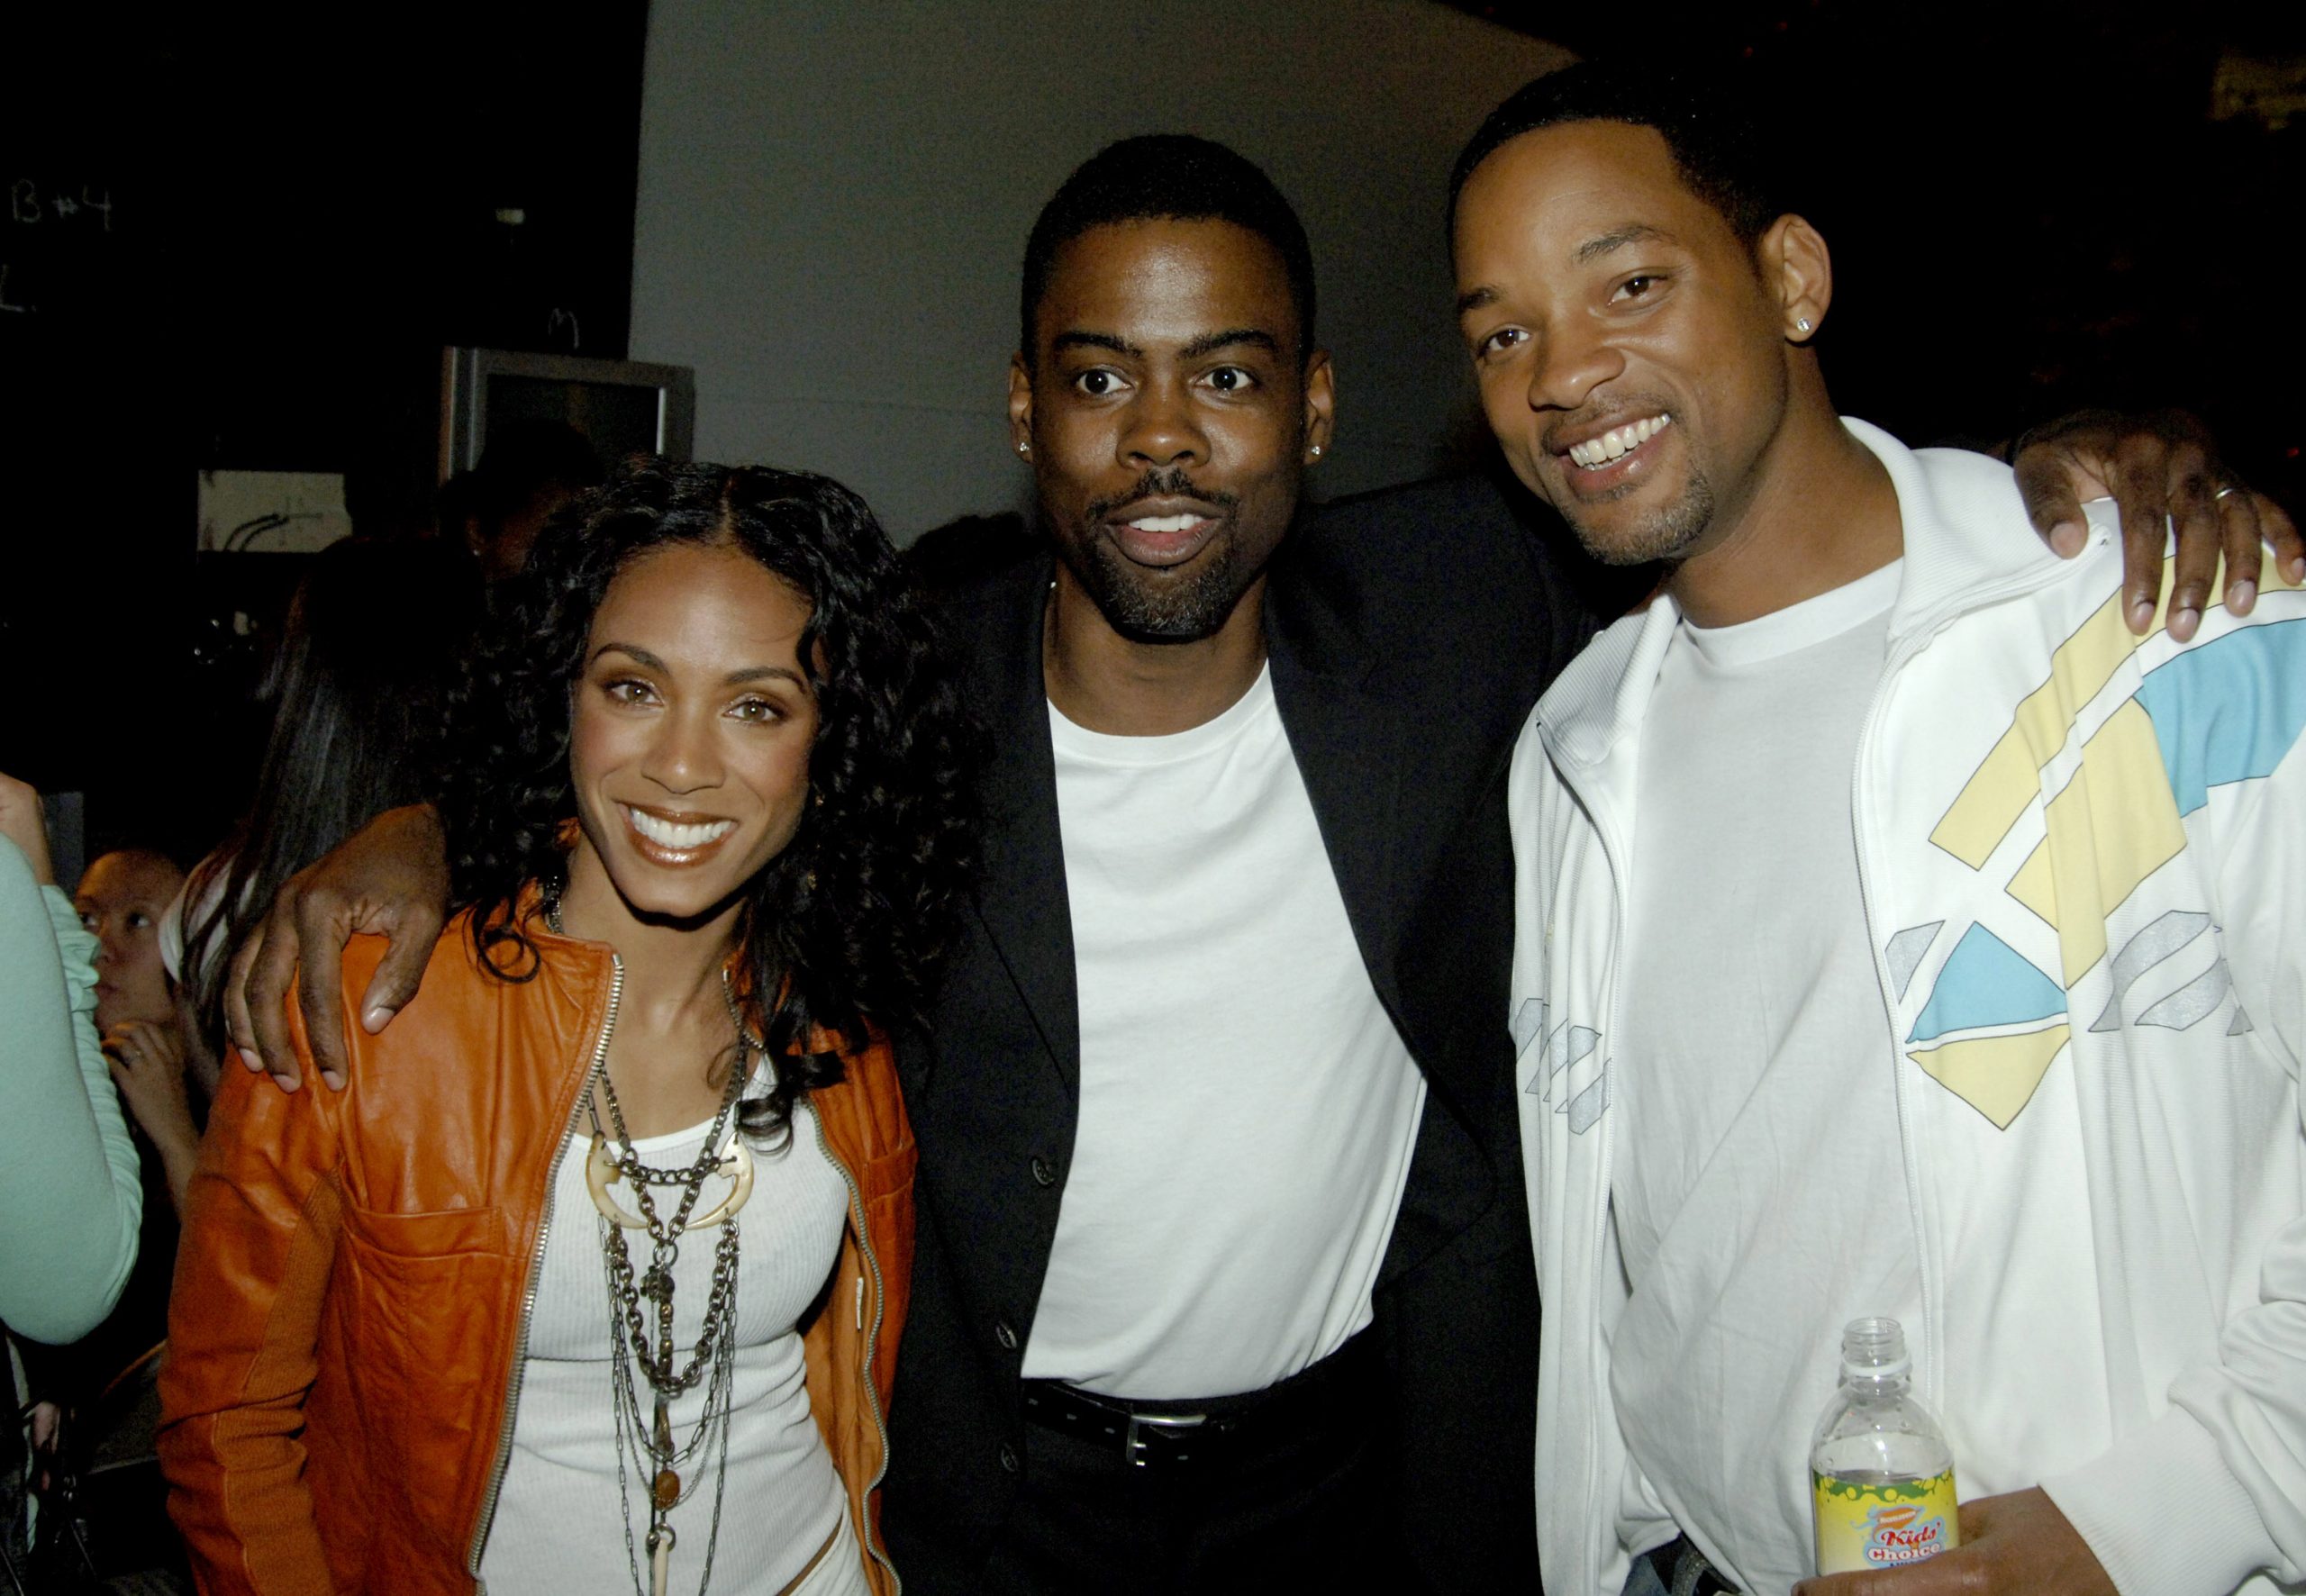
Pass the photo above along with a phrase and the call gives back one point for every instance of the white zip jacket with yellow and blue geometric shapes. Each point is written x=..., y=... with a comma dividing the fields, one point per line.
x=2083, y=864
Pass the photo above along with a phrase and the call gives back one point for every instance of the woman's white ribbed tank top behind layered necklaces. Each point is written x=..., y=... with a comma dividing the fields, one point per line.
x=559, y=1528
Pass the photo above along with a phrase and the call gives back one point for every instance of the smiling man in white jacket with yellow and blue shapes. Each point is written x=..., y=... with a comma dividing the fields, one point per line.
x=1897, y=935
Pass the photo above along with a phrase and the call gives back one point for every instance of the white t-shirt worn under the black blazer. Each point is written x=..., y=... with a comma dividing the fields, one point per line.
x=1246, y=1104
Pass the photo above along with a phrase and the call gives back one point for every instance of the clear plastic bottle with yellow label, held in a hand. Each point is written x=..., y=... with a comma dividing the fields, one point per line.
x=1881, y=1468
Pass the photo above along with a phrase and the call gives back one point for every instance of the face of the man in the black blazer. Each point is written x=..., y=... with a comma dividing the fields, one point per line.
x=1170, y=419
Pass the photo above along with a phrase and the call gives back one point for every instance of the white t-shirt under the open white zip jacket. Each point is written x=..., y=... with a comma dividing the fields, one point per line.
x=1758, y=1180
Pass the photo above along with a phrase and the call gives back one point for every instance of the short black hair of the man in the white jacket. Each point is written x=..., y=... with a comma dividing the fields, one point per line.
x=1719, y=146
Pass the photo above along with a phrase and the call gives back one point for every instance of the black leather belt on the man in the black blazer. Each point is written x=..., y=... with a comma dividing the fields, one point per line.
x=1205, y=1431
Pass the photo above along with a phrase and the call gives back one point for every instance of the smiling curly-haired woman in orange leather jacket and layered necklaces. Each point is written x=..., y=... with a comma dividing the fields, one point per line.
x=449, y=1325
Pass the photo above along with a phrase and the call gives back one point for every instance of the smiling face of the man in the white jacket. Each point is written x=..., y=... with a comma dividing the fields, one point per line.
x=1629, y=345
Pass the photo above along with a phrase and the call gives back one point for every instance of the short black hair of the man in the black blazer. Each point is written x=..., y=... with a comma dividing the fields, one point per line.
x=1168, y=179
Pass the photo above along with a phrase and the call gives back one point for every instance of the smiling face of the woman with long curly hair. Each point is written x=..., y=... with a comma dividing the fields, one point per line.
x=691, y=730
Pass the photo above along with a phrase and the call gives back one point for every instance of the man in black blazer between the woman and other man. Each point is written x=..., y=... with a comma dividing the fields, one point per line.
x=1170, y=398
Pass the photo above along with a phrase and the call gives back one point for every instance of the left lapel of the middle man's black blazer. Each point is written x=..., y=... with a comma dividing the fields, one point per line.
x=1025, y=910
